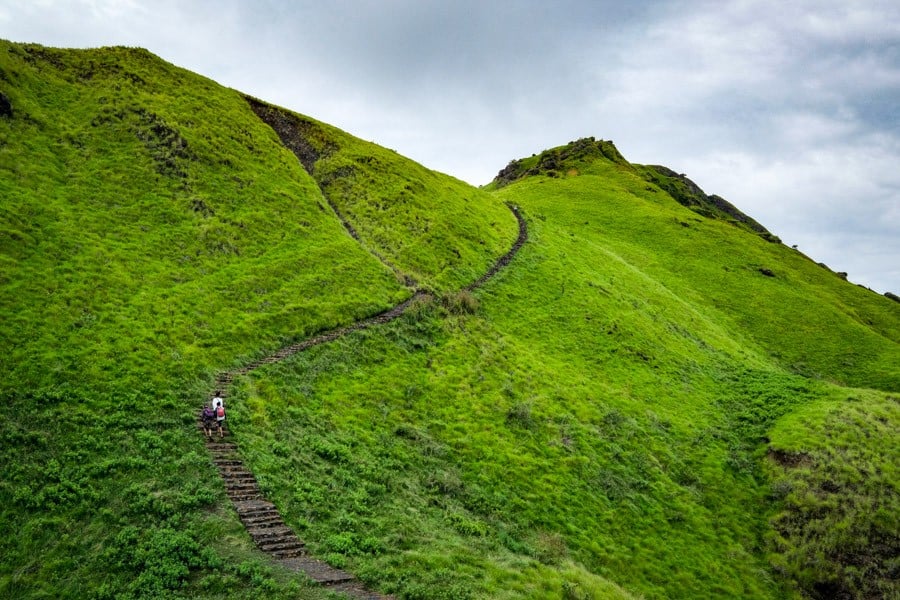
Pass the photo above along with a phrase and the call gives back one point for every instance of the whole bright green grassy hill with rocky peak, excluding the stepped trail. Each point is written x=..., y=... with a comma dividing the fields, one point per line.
x=653, y=399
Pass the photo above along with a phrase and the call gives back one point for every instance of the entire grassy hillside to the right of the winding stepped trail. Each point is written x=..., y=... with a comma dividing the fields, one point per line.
x=613, y=413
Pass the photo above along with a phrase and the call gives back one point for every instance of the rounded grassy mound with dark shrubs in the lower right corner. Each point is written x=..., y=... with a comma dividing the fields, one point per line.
x=837, y=530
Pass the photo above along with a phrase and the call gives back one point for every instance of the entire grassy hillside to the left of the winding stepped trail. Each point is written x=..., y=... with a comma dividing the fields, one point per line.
x=153, y=231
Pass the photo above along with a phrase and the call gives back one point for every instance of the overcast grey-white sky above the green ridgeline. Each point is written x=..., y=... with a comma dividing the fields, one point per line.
x=790, y=110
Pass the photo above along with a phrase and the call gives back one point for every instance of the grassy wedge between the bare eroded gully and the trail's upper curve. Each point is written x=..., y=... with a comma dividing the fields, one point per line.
x=434, y=231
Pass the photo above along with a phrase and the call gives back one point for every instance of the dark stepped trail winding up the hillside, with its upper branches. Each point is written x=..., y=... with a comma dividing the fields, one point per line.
x=261, y=517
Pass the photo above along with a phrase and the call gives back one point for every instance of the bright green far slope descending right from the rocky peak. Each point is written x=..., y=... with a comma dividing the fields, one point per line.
x=807, y=318
